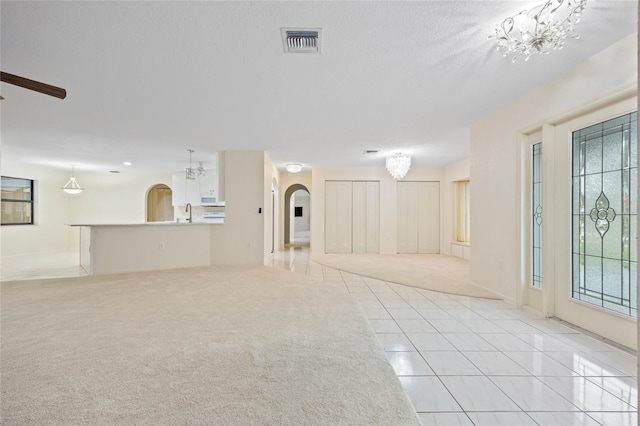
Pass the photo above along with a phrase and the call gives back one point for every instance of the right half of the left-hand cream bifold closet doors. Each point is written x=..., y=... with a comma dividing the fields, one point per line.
x=366, y=217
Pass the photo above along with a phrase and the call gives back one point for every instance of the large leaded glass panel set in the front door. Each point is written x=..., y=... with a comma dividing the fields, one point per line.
x=605, y=183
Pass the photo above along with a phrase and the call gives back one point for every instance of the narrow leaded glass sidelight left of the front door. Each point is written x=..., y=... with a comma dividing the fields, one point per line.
x=536, y=222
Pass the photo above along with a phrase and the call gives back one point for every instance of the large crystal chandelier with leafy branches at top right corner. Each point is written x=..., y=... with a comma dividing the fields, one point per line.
x=539, y=30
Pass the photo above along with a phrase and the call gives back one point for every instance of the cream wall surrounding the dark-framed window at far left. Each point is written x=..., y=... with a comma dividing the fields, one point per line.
x=50, y=232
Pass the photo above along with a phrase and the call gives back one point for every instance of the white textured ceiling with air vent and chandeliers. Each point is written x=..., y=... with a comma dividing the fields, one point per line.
x=148, y=80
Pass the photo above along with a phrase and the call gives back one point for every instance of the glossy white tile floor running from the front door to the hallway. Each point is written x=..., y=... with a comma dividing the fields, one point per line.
x=469, y=361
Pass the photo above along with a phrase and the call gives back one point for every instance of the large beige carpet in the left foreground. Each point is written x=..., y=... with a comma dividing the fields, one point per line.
x=210, y=346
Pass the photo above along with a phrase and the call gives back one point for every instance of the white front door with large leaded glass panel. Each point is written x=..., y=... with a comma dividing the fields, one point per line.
x=595, y=215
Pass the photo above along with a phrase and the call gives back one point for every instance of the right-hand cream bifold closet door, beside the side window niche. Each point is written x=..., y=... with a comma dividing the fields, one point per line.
x=418, y=217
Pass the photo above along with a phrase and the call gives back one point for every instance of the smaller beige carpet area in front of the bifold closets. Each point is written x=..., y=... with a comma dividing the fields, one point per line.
x=446, y=274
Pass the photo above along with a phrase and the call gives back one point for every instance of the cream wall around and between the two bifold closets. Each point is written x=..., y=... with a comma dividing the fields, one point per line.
x=388, y=200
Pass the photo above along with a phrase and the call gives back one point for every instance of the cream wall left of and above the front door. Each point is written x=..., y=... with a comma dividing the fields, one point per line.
x=496, y=197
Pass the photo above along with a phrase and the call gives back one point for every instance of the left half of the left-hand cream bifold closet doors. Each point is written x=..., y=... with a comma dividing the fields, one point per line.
x=338, y=213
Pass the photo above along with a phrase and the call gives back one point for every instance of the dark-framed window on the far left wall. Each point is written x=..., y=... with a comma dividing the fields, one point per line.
x=17, y=201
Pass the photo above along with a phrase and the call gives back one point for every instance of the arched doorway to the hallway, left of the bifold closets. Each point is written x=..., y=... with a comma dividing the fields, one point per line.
x=297, y=215
